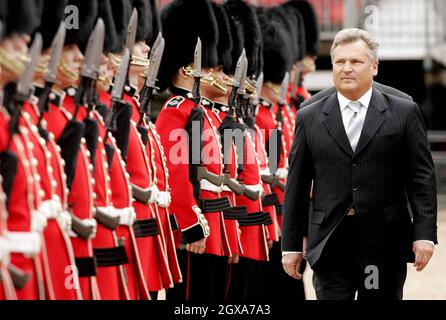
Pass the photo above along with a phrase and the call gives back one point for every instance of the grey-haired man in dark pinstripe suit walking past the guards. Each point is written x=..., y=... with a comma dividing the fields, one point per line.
x=368, y=157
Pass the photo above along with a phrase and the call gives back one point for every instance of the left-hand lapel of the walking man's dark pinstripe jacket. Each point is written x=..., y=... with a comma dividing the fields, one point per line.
x=333, y=122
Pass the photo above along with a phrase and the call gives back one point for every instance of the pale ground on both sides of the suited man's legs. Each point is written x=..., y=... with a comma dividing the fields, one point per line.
x=430, y=284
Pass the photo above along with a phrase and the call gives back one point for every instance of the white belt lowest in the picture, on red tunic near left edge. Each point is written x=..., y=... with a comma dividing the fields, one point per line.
x=27, y=243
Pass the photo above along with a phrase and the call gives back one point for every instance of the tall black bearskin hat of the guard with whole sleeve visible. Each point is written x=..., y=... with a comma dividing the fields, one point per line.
x=181, y=28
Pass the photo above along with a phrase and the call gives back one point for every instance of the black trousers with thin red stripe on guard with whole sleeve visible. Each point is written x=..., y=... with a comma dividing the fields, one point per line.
x=204, y=278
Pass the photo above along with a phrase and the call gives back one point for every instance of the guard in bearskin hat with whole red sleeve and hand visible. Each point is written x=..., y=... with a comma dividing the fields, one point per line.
x=196, y=173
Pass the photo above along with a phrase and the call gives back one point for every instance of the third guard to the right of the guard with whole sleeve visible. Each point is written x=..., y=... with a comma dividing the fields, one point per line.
x=274, y=119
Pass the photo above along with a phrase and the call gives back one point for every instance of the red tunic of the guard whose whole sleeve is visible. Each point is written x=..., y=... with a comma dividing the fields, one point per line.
x=171, y=124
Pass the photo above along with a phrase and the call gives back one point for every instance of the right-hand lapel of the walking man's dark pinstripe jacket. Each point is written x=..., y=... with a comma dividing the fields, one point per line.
x=374, y=119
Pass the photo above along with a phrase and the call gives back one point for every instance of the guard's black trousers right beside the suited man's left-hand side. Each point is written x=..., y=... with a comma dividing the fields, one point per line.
x=277, y=285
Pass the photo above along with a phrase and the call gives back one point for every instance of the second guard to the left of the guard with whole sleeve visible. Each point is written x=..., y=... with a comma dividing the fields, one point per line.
x=154, y=262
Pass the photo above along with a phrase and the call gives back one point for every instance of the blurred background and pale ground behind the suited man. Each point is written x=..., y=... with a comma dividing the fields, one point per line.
x=412, y=37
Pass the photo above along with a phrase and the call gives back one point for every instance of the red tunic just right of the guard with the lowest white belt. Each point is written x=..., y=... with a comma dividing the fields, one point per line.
x=57, y=246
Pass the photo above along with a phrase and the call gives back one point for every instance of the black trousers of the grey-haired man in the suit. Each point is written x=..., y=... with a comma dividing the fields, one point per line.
x=345, y=270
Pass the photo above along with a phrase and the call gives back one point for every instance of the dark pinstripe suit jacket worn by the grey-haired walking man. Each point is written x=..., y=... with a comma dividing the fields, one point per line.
x=391, y=168
